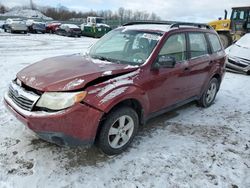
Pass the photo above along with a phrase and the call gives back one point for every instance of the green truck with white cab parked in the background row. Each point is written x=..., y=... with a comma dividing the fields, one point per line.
x=95, y=27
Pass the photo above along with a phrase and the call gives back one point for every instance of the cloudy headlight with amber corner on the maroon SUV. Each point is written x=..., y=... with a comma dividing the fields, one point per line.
x=60, y=100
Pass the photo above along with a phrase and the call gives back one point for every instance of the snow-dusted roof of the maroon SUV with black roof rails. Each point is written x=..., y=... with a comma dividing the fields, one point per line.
x=164, y=26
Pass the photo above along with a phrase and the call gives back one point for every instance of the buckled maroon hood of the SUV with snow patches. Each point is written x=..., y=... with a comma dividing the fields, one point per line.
x=68, y=73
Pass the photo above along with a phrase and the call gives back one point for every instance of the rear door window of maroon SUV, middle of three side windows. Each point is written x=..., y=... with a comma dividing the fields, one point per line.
x=198, y=44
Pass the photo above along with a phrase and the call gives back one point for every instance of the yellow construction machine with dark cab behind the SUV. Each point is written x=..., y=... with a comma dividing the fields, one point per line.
x=230, y=30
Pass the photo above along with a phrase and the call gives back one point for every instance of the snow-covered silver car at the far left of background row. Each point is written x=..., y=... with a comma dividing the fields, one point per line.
x=15, y=25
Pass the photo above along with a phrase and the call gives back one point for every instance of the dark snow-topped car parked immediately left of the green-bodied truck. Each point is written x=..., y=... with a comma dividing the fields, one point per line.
x=69, y=30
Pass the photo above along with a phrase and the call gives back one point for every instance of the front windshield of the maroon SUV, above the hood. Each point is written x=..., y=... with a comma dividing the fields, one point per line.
x=125, y=46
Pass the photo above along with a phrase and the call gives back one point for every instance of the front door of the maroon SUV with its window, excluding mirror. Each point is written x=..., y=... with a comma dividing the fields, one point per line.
x=165, y=86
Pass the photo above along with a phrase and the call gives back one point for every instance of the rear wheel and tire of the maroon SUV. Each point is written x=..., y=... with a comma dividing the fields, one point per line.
x=209, y=94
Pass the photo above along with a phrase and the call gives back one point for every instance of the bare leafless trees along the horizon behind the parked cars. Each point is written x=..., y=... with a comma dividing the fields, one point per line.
x=63, y=13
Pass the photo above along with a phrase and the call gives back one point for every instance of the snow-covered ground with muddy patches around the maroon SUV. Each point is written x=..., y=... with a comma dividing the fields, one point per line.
x=189, y=147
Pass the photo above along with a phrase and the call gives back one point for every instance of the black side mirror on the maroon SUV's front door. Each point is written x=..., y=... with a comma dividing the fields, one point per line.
x=165, y=62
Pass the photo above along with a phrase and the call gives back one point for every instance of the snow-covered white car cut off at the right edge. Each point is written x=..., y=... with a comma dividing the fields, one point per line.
x=239, y=55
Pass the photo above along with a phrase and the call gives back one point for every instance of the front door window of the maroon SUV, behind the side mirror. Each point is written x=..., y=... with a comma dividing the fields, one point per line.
x=175, y=47
